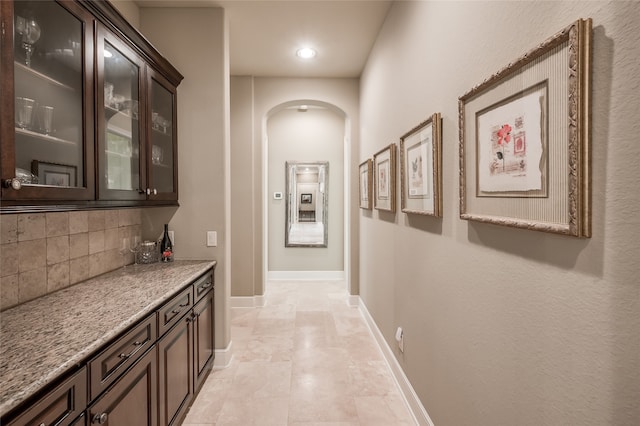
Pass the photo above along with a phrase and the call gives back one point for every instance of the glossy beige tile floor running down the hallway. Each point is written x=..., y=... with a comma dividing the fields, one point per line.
x=304, y=359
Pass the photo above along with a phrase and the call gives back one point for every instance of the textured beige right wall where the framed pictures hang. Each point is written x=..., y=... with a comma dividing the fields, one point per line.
x=505, y=326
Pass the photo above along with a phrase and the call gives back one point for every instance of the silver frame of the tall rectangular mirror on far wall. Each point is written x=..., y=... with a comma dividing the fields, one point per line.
x=289, y=167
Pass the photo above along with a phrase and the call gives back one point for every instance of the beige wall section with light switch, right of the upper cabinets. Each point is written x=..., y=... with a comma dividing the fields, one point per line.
x=196, y=45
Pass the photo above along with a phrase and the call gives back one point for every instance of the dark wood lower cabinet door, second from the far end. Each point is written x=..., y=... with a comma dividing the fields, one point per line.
x=175, y=355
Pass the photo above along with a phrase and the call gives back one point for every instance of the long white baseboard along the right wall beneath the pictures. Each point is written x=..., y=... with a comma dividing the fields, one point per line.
x=408, y=393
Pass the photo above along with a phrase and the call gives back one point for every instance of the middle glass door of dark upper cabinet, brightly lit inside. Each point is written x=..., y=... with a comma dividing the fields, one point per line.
x=121, y=170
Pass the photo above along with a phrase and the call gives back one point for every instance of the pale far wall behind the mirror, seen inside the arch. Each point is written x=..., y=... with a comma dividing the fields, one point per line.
x=315, y=135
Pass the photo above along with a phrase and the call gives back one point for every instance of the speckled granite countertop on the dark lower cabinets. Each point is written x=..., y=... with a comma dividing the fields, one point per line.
x=42, y=339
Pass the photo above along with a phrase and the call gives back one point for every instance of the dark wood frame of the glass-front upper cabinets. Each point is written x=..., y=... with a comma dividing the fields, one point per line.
x=93, y=14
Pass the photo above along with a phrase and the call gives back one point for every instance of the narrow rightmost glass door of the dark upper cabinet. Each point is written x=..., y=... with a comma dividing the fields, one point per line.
x=162, y=139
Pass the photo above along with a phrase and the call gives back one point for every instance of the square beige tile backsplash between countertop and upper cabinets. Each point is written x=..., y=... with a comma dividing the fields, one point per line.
x=44, y=252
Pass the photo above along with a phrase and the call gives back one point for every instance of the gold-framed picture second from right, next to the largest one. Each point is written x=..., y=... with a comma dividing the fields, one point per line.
x=420, y=168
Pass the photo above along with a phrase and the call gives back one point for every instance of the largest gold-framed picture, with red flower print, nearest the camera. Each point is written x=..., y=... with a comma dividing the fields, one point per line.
x=525, y=139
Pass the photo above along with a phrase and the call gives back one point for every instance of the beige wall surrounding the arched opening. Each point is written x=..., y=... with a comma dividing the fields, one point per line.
x=254, y=99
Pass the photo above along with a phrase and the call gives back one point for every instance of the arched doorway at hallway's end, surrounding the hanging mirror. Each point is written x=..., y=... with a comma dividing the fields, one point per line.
x=316, y=132
